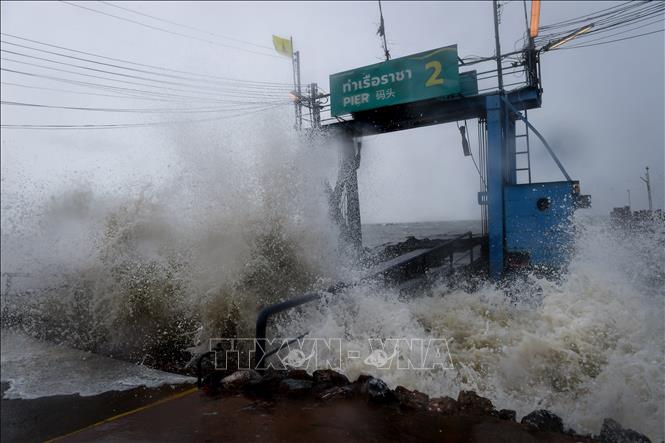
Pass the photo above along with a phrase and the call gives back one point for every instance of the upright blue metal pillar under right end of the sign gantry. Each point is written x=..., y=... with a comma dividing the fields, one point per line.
x=496, y=178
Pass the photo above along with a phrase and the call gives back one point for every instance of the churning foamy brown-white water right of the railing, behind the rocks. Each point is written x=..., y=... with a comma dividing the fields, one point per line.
x=587, y=347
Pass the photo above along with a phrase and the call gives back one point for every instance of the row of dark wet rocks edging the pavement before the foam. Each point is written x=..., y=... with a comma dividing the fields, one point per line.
x=328, y=386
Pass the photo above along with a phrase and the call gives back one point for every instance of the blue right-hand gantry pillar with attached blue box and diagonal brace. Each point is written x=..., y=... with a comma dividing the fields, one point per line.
x=531, y=220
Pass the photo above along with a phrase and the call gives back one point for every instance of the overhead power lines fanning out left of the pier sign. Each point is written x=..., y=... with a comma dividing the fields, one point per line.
x=29, y=64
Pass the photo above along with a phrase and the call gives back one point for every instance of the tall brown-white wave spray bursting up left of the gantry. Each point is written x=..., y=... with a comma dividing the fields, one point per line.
x=240, y=221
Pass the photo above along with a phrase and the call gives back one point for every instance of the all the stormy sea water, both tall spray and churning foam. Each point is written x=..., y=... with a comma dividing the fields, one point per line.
x=143, y=270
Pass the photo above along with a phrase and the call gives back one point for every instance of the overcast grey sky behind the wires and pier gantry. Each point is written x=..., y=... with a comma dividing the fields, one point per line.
x=603, y=106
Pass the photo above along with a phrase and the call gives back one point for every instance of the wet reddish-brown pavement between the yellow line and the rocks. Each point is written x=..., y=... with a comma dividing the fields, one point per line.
x=197, y=417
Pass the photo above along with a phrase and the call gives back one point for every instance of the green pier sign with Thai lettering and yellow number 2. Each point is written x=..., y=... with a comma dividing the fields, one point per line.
x=407, y=79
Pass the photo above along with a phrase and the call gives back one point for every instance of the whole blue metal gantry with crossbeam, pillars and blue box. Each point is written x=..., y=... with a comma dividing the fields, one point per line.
x=528, y=224
